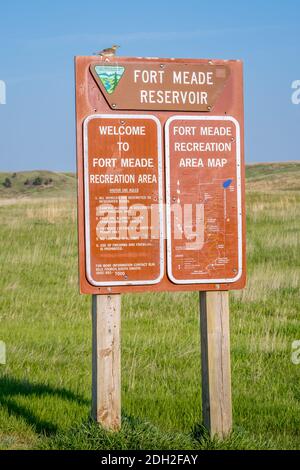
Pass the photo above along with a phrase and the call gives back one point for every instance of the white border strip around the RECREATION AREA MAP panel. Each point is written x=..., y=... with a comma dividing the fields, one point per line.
x=168, y=199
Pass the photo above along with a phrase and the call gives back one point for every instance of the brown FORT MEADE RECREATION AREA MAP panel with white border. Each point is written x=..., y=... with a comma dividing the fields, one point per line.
x=203, y=181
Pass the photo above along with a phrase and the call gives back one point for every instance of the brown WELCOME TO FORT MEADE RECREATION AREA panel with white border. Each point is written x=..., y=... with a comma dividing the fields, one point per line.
x=123, y=200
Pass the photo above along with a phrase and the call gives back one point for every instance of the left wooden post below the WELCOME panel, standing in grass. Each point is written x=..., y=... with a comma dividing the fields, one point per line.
x=106, y=368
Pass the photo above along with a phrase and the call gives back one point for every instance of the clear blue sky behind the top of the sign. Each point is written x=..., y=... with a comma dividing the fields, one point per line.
x=38, y=40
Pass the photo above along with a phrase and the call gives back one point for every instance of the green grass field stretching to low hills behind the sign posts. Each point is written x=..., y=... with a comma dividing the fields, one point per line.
x=45, y=386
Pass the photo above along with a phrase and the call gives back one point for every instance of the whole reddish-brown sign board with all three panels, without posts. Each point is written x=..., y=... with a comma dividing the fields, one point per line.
x=160, y=174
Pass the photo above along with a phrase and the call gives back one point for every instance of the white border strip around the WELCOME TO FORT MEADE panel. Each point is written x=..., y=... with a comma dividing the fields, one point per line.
x=87, y=199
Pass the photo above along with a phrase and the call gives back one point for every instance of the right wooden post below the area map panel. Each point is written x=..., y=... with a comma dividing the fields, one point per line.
x=215, y=361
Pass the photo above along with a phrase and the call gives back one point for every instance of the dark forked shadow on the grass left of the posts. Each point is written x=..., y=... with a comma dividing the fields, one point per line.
x=11, y=389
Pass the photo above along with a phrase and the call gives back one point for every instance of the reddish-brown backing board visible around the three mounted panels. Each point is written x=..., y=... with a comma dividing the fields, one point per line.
x=90, y=100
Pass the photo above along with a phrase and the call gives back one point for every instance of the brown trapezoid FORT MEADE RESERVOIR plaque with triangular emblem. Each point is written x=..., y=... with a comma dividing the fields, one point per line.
x=160, y=86
